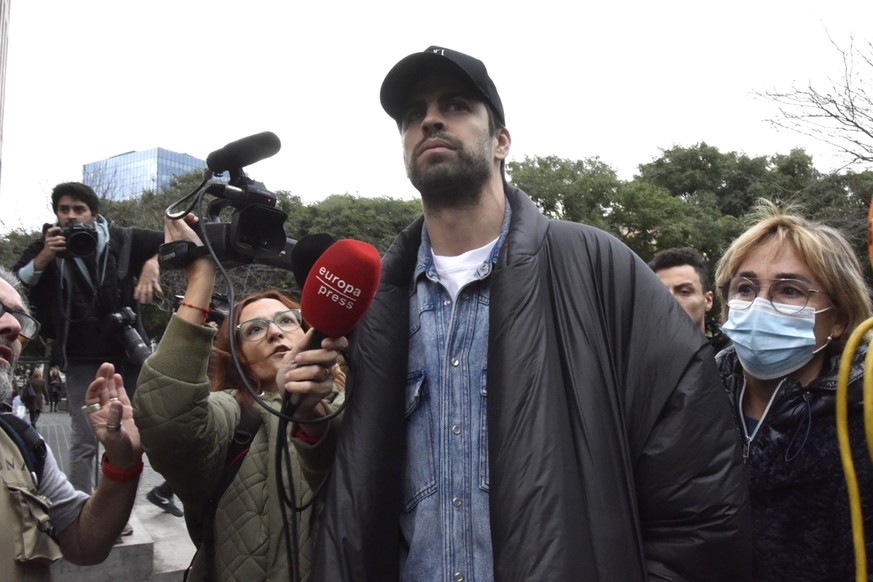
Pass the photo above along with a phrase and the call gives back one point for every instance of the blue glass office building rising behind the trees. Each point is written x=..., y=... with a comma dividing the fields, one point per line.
x=128, y=175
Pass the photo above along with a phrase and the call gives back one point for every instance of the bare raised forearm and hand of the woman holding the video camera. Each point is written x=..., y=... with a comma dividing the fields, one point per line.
x=200, y=273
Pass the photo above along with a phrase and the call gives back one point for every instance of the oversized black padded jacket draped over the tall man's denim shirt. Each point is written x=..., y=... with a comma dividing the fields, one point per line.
x=586, y=349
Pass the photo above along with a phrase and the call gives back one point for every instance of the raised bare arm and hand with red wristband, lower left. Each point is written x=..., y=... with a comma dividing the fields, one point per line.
x=91, y=536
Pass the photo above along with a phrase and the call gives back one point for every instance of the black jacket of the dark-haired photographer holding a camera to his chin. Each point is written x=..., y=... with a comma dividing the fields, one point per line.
x=74, y=313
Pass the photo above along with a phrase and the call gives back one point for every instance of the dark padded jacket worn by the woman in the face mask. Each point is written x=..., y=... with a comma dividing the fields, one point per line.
x=800, y=507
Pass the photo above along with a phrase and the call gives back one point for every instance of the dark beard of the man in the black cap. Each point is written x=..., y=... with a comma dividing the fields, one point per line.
x=453, y=183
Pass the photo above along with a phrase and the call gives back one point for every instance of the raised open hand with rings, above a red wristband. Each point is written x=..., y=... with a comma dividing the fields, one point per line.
x=111, y=416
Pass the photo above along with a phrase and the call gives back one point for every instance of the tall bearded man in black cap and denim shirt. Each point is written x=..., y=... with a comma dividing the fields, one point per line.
x=540, y=409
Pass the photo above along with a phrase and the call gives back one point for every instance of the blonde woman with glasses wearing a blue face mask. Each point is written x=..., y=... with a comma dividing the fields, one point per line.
x=792, y=291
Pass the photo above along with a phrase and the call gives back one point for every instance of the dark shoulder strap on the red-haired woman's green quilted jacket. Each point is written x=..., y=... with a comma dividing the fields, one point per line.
x=249, y=424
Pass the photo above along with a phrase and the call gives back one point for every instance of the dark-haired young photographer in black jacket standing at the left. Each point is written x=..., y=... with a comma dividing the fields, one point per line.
x=82, y=277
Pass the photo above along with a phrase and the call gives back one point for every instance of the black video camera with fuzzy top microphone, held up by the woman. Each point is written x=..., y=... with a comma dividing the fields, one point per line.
x=255, y=233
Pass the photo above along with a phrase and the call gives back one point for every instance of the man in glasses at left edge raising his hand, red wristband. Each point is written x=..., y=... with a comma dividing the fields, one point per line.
x=63, y=522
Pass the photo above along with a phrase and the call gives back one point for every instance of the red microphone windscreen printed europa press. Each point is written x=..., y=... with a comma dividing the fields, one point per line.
x=340, y=287
